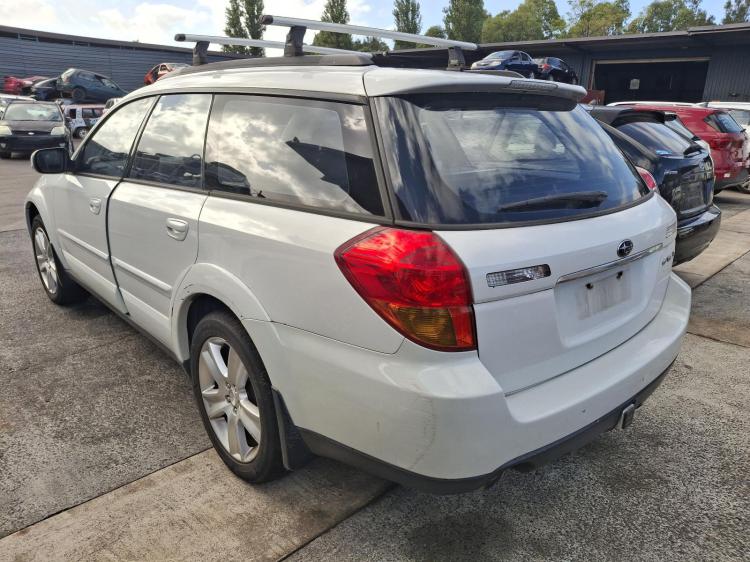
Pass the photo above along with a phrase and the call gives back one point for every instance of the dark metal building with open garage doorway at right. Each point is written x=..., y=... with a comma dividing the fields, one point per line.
x=699, y=64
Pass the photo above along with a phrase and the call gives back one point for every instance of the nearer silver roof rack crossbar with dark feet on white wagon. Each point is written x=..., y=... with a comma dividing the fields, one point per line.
x=298, y=27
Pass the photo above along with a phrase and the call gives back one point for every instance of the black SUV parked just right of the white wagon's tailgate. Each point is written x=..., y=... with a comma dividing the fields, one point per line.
x=682, y=169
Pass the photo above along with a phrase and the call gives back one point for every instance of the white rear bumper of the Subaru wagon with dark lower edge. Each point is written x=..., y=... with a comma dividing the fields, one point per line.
x=440, y=421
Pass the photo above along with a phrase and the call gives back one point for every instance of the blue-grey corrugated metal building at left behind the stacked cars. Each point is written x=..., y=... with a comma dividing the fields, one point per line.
x=24, y=52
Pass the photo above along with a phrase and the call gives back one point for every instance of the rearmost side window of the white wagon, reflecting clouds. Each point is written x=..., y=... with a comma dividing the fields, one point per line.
x=299, y=152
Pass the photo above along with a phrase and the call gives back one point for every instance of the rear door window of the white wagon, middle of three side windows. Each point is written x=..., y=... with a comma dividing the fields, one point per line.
x=171, y=147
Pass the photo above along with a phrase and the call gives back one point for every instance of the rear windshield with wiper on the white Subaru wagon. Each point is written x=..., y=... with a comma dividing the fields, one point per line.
x=489, y=158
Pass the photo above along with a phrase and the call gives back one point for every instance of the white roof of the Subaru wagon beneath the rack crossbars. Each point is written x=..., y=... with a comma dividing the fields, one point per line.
x=358, y=80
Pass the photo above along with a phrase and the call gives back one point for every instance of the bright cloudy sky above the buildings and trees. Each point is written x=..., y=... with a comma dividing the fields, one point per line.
x=157, y=21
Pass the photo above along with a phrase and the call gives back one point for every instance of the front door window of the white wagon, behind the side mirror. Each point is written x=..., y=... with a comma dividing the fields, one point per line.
x=106, y=151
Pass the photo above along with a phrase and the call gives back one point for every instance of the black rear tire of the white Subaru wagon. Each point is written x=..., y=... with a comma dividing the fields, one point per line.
x=267, y=462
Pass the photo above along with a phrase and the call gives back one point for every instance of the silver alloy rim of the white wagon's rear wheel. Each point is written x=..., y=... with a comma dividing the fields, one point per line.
x=229, y=399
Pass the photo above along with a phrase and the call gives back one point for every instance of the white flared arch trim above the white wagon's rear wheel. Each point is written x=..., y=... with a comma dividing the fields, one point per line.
x=208, y=279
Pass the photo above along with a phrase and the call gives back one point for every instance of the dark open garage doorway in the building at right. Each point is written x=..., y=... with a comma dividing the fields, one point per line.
x=651, y=80
